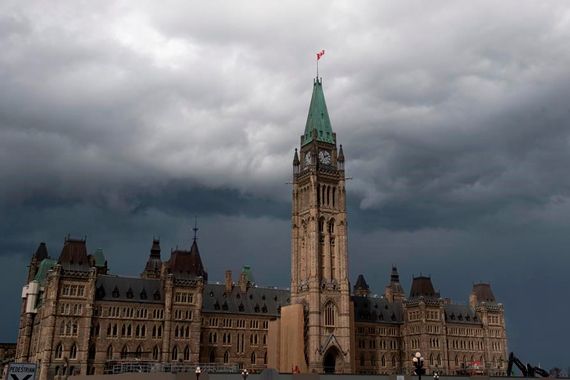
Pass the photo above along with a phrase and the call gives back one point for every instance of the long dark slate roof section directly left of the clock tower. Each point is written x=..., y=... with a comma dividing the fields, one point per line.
x=256, y=301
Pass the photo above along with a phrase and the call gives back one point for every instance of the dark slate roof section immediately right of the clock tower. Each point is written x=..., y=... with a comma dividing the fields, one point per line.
x=379, y=310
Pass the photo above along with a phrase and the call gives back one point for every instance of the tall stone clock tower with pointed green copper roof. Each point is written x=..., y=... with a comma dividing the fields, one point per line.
x=319, y=260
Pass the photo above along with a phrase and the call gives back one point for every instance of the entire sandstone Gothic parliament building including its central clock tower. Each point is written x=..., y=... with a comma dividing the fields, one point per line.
x=77, y=317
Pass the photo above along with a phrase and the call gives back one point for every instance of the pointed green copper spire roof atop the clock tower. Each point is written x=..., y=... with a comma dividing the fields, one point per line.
x=318, y=118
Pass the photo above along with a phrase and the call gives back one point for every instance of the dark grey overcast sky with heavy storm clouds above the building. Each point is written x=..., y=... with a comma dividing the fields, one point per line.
x=123, y=120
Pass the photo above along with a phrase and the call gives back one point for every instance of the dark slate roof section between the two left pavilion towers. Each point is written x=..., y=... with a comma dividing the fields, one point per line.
x=130, y=289
